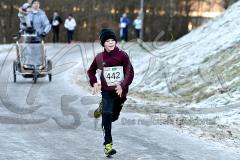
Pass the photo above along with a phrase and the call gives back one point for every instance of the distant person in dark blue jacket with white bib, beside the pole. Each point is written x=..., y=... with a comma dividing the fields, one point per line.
x=124, y=23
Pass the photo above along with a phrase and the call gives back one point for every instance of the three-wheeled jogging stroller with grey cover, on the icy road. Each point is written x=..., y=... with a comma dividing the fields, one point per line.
x=31, y=61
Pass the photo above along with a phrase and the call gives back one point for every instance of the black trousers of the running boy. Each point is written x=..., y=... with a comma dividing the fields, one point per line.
x=112, y=106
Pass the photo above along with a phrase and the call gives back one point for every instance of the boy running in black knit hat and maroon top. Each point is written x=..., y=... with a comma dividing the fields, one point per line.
x=116, y=76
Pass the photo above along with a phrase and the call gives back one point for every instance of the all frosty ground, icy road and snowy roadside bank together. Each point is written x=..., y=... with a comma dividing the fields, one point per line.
x=192, y=84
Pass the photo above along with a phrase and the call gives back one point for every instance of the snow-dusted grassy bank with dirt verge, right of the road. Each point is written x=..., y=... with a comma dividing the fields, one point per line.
x=197, y=74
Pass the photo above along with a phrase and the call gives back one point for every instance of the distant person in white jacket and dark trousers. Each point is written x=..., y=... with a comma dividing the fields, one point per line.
x=70, y=25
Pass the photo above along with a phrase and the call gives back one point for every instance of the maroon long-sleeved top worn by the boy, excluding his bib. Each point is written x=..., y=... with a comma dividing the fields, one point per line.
x=116, y=57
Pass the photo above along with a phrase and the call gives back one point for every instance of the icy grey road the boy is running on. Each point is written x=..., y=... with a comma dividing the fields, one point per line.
x=47, y=121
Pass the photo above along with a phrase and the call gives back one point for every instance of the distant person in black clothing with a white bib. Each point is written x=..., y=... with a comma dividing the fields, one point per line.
x=56, y=22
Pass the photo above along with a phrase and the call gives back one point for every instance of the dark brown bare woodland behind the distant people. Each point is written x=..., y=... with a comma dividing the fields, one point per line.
x=170, y=16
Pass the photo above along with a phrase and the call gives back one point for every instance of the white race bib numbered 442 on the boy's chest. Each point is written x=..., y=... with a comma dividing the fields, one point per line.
x=113, y=75
